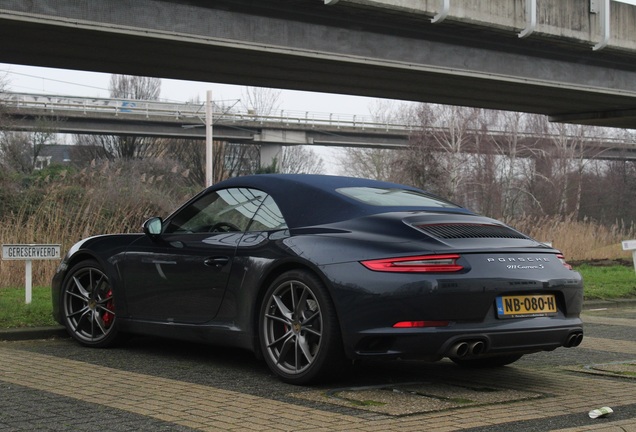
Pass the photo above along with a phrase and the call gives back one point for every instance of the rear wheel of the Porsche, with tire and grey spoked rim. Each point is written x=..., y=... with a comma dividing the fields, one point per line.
x=298, y=330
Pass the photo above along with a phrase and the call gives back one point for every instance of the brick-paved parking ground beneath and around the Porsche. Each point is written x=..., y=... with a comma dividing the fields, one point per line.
x=50, y=383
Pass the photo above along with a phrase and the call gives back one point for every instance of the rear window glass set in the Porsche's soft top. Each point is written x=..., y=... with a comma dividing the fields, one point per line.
x=394, y=197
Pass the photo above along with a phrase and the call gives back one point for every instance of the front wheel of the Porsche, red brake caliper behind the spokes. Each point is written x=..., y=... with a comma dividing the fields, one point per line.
x=88, y=307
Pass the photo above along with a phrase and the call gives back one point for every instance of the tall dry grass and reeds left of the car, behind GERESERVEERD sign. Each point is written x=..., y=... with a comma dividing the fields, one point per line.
x=95, y=201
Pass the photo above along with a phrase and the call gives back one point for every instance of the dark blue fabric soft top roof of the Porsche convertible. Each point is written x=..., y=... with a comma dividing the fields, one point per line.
x=311, y=199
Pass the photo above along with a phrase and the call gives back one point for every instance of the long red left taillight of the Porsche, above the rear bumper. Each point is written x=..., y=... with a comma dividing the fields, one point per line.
x=417, y=264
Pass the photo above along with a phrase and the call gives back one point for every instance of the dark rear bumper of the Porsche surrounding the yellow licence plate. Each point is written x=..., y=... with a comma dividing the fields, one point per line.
x=369, y=308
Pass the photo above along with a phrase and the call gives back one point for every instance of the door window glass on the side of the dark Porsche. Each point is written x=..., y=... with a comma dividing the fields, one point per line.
x=222, y=211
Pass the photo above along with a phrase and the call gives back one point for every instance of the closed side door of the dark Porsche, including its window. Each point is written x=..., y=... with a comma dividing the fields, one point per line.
x=181, y=276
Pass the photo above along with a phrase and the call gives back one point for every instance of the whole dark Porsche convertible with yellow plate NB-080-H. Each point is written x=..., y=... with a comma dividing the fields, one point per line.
x=311, y=272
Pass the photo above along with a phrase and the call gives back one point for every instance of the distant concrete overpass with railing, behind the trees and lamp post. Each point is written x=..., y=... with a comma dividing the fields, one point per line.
x=83, y=115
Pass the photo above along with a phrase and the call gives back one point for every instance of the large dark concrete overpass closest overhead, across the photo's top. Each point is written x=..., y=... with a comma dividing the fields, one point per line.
x=572, y=60
